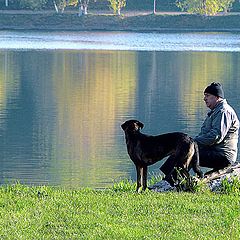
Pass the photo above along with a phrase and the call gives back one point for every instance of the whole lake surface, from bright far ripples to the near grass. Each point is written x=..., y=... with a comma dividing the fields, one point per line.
x=61, y=107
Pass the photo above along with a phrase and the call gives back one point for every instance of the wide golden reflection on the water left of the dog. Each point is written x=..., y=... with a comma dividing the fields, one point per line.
x=92, y=89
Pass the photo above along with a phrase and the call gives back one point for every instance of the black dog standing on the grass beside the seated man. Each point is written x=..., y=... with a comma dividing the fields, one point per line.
x=146, y=150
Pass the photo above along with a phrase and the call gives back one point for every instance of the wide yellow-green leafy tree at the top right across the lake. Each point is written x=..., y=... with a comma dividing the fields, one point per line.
x=205, y=7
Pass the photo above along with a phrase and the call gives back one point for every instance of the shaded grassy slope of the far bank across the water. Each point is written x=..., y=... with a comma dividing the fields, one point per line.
x=136, y=22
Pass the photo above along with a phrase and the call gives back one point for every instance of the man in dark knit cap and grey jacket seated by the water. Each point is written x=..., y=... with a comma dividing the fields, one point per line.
x=218, y=137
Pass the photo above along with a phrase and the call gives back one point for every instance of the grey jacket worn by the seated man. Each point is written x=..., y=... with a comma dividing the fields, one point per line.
x=220, y=131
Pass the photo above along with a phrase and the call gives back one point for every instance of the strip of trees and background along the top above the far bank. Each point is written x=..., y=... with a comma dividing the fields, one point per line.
x=202, y=7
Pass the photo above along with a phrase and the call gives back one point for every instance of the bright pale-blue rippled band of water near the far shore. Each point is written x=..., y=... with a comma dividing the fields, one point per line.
x=198, y=41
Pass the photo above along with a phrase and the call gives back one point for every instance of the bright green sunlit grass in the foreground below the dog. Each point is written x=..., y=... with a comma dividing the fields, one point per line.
x=55, y=213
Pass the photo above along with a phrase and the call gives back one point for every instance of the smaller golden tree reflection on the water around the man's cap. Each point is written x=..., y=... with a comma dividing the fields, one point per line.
x=200, y=70
